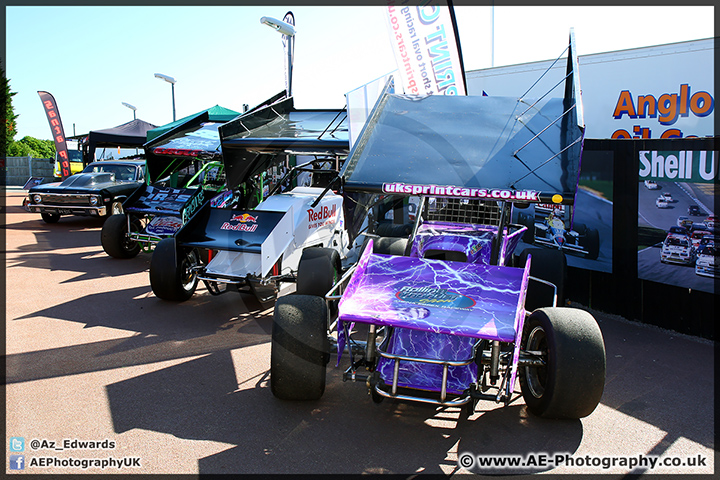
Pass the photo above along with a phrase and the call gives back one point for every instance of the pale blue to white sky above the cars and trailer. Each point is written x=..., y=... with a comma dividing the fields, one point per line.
x=94, y=58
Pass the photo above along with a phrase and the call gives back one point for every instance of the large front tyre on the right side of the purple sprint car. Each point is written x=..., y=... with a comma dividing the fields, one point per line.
x=571, y=381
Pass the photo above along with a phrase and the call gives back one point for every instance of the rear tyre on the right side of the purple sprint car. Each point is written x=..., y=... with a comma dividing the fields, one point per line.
x=548, y=265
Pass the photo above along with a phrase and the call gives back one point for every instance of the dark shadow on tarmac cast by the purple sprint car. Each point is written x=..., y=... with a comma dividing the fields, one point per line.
x=201, y=400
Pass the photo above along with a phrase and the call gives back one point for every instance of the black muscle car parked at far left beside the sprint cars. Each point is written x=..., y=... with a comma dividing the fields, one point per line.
x=99, y=190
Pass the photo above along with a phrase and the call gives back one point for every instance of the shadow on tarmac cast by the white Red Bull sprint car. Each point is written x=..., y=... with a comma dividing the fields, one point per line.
x=166, y=331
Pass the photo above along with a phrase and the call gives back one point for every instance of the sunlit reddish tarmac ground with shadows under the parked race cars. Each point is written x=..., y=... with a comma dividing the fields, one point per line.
x=93, y=356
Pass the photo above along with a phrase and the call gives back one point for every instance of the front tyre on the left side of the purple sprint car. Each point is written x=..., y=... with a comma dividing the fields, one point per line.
x=300, y=349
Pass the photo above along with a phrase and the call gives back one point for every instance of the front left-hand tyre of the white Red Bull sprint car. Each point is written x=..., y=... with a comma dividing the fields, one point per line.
x=172, y=273
